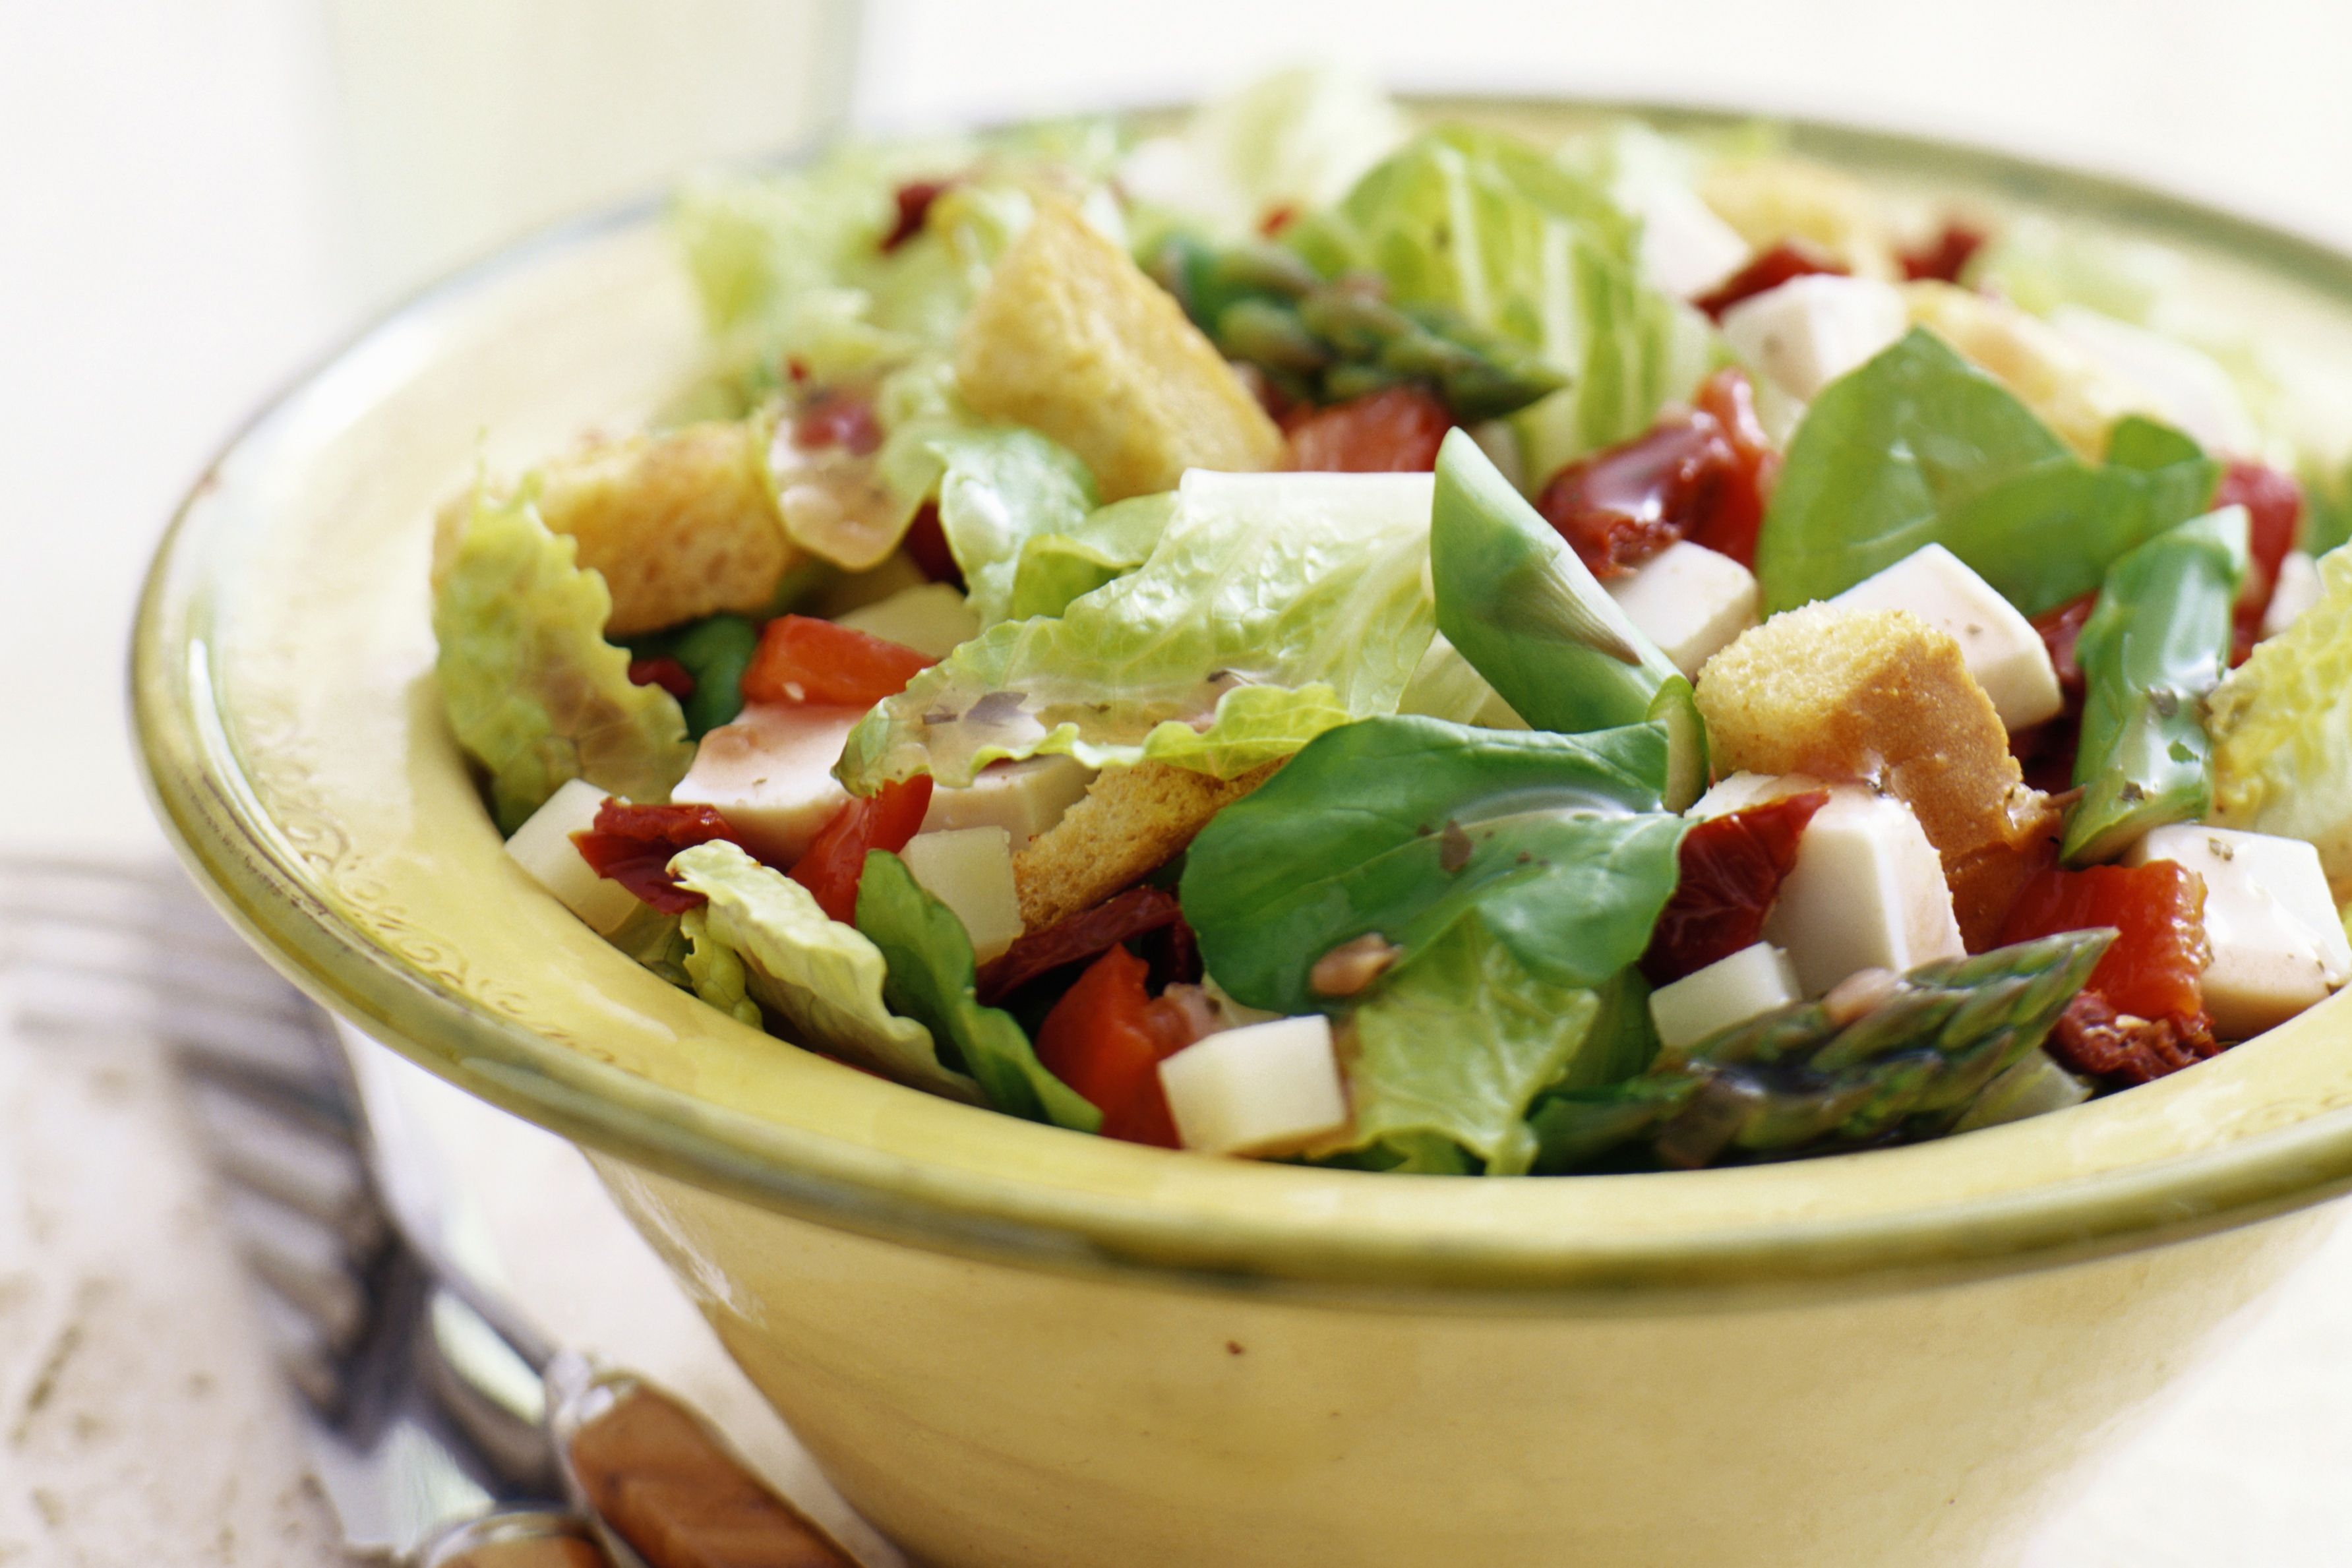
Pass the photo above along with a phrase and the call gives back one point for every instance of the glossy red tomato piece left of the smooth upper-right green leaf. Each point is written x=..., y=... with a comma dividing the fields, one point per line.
x=1692, y=476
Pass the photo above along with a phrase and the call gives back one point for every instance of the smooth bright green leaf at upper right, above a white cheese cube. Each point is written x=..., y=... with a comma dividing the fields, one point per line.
x=1920, y=448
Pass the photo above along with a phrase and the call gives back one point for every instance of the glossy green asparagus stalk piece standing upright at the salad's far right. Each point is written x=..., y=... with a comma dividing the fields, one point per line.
x=2151, y=652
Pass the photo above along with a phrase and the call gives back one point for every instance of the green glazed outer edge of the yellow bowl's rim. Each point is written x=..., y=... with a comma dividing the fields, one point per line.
x=829, y=1179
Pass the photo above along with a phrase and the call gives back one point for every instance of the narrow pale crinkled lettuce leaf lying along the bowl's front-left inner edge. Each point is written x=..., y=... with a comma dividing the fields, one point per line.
x=817, y=974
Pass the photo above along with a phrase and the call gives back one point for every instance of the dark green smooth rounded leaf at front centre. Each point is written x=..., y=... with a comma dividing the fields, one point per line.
x=1410, y=826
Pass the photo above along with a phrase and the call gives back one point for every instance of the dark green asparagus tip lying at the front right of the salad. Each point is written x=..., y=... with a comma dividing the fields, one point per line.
x=1812, y=1078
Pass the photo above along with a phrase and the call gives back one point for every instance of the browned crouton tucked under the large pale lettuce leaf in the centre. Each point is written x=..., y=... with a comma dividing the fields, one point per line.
x=1130, y=824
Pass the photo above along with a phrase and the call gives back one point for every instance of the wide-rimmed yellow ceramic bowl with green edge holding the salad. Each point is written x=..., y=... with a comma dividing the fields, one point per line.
x=1027, y=1348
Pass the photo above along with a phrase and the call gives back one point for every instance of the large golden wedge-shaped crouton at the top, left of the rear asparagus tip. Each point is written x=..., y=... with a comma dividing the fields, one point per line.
x=1076, y=342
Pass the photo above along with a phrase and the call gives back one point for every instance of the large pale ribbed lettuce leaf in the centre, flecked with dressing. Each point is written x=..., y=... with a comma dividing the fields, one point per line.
x=1269, y=610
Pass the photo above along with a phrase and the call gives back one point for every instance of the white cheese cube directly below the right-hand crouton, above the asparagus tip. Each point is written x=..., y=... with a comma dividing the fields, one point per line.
x=1866, y=894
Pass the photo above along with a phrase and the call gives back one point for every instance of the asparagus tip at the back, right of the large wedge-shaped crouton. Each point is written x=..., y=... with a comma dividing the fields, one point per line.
x=1328, y=342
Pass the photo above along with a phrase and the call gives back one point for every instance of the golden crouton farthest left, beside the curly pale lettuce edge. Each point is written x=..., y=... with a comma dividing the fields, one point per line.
x=683, y=525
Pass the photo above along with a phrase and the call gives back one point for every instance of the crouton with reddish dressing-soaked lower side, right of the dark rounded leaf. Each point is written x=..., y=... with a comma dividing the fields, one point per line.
x=1887, y=699
